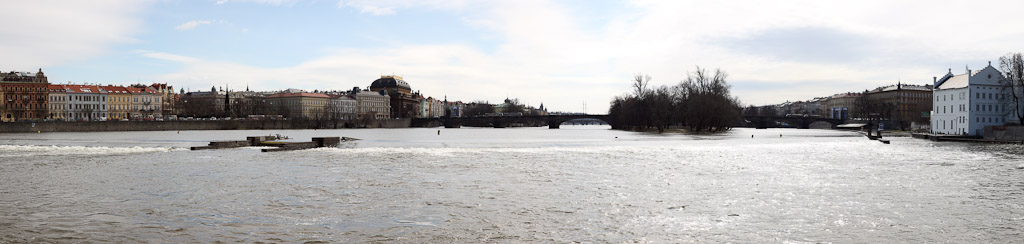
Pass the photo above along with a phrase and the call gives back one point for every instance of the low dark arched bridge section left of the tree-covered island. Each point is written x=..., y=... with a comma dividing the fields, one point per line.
x=553, y=121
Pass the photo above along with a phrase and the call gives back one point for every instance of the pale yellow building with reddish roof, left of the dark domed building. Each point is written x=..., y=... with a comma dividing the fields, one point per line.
x=301, y=105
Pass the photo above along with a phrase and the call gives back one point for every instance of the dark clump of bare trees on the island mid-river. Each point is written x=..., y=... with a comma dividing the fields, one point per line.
x=701, y=103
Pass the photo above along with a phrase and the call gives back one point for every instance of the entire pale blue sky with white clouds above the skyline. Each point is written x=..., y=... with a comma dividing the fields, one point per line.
x=567, y=55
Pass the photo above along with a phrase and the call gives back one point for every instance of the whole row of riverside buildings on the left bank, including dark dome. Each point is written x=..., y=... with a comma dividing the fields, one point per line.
x=30, y=97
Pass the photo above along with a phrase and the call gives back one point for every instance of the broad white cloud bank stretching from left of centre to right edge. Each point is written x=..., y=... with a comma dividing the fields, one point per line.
x=549, y=53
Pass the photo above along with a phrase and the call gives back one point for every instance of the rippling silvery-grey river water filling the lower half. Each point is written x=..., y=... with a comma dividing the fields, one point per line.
x=578, y=184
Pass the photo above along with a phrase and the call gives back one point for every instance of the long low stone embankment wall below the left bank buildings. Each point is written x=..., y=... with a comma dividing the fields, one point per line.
x=17, y=128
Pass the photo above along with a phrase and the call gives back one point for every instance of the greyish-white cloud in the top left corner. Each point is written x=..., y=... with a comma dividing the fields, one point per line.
x=41, y=34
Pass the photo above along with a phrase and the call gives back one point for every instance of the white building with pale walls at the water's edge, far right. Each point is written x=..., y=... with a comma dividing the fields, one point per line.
x=966, y=104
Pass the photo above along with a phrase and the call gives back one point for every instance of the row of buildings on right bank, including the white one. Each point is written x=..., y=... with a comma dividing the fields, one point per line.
x=963, y=104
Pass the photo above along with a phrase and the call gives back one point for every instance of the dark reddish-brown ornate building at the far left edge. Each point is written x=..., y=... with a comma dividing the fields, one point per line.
x=26, y=96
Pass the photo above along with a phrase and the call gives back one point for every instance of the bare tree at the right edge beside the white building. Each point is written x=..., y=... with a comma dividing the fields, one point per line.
x=1013, y=79
